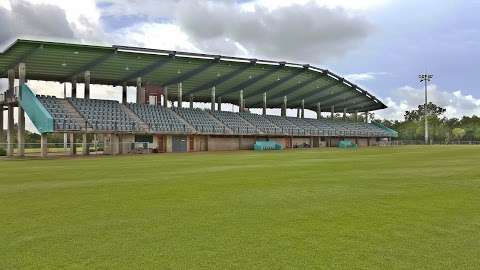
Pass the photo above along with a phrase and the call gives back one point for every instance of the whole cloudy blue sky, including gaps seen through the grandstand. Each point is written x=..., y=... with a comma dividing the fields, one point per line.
x=381, y=45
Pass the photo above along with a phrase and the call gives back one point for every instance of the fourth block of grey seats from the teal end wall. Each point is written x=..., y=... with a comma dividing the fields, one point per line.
x=201, y=121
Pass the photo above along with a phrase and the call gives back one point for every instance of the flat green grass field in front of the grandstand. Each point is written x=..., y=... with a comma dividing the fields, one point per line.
x=376, y=208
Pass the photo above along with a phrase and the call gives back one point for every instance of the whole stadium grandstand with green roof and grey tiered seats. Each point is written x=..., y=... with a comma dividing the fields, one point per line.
x=168, y=83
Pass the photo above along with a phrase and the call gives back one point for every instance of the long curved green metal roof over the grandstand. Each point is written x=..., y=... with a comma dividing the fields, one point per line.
x=117, y=65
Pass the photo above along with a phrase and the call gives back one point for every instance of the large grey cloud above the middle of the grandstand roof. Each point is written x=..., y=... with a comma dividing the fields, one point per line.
x=309, y=32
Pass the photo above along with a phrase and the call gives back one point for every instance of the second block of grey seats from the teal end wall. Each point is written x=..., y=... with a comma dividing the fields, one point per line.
x=105, y=115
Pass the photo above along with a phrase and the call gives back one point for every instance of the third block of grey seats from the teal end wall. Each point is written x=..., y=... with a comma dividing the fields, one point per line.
x=160, y=119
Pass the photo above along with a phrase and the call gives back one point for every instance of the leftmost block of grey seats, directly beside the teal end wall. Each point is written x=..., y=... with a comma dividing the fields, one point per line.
x=61, y=118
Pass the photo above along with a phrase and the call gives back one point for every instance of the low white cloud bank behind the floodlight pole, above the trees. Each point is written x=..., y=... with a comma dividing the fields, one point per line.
x=456, y=103
